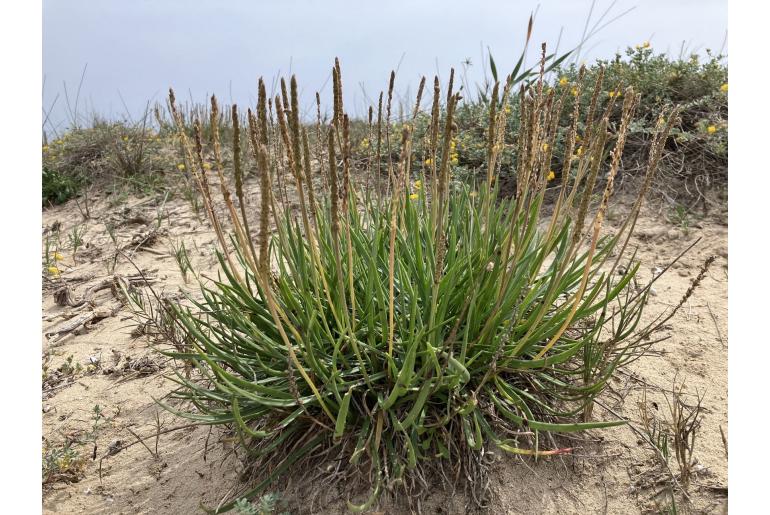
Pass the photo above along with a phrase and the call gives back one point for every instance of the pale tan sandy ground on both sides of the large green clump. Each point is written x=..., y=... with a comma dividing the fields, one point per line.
x=611, y=471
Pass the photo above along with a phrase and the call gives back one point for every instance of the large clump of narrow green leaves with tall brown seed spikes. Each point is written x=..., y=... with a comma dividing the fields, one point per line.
x=408, y=332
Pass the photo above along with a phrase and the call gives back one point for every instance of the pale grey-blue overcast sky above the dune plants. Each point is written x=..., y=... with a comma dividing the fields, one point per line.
x=134, y=50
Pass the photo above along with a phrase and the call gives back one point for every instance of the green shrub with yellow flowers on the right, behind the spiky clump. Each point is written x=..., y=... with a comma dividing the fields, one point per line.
x=695, y=158
